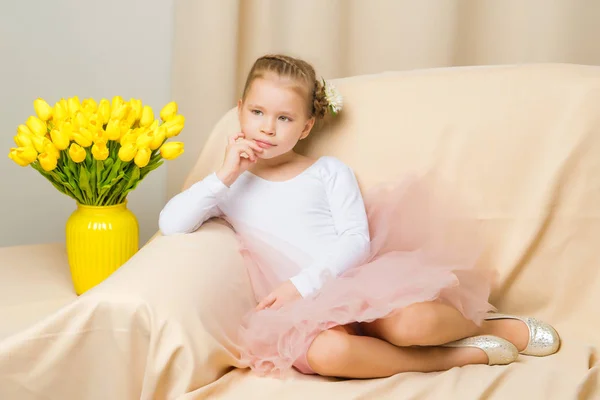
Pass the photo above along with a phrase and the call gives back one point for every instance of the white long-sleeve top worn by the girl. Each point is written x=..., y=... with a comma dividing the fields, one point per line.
x=320, y=211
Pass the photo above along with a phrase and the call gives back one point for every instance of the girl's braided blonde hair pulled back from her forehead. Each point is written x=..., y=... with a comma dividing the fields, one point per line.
x=295, y=69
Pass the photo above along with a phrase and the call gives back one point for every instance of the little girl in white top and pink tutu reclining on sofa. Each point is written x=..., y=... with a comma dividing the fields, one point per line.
x=345, y=287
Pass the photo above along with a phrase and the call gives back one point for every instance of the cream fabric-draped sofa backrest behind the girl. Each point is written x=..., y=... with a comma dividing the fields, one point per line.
x=522, y=141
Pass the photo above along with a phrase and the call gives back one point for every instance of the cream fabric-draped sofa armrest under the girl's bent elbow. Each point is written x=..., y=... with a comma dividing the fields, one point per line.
x=160, y=326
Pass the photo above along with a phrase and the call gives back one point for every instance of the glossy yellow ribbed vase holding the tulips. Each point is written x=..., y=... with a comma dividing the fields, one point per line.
x=99, y=240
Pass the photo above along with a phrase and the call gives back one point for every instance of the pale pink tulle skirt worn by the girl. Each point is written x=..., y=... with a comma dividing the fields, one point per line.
x=422, y=249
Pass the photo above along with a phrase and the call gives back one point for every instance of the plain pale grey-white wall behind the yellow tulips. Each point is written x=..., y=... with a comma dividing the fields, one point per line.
x=62, y=48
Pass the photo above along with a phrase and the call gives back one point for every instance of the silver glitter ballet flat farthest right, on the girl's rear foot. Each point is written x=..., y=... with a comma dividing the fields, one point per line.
x=543, y=338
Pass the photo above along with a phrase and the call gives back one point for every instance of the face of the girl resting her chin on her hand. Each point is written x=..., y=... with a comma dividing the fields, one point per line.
x=274, y=114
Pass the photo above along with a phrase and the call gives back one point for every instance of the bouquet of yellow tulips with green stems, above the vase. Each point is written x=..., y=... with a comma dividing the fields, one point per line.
x=97, y=153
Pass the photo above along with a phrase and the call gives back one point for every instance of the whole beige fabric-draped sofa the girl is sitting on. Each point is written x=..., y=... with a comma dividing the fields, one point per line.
x=521, y=142
